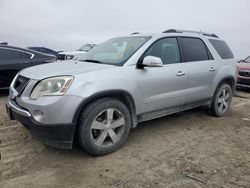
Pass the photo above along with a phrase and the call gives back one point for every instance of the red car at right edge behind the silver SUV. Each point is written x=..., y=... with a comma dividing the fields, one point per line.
x=244, y=73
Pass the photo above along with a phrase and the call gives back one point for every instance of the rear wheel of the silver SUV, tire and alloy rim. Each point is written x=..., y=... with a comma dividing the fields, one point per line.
x=222, y=100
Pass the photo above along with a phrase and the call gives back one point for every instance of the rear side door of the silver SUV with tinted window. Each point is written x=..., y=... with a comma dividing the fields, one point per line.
x=201, y=70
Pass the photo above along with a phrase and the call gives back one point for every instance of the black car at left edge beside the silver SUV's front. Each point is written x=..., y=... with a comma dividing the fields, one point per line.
x=14, y=59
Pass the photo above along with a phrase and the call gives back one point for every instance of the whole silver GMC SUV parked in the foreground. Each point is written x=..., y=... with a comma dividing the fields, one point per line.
x=98, y=98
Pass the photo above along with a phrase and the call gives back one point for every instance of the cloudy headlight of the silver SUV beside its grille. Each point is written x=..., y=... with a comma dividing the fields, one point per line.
x=51, y=87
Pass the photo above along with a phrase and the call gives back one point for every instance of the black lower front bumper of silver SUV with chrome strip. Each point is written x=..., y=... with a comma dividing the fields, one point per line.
x=55, y=135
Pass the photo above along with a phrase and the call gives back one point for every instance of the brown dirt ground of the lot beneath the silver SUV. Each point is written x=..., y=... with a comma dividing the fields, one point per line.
x=188, y=149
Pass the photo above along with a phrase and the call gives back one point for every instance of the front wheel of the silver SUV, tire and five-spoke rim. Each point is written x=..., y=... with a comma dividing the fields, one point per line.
x=104, y=126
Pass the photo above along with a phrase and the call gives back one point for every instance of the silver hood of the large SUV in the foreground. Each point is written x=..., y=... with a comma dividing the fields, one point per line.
x=62, y=68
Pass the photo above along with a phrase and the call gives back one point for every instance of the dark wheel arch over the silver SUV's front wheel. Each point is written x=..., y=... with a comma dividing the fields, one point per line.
x=121, y=95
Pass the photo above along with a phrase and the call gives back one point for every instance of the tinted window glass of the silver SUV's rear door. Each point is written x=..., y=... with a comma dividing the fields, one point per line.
x=194, y=49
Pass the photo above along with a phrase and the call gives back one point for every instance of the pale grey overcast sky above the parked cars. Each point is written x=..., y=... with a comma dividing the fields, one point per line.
x=69, y=24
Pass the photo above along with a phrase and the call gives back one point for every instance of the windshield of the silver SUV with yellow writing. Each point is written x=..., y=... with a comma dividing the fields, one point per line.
x=115, y=51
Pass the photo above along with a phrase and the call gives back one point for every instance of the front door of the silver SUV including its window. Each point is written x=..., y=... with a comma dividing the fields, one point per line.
x=164, y=87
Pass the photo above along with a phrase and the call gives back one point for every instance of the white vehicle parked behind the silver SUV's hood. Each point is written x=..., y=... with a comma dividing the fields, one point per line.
x=74, y=54
